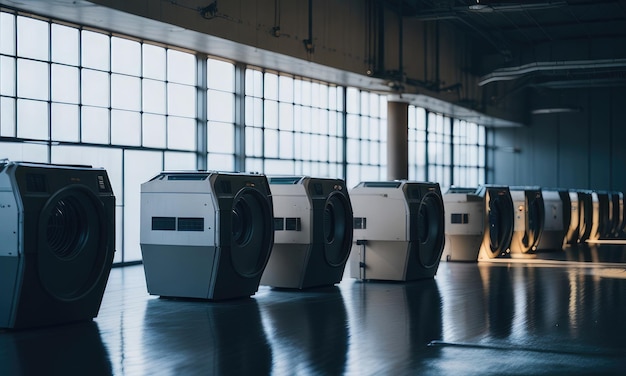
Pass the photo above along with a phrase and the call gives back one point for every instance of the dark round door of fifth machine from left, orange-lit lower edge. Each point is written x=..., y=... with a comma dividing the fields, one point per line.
x=500, y=224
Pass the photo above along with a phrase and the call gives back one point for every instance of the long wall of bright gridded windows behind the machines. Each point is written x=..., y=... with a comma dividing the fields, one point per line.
x=73, y=95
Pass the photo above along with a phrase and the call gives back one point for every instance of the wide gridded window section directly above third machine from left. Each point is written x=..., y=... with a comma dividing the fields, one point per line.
x=293, y=125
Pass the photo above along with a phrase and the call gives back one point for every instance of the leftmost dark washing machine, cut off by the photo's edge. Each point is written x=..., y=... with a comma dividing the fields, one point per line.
x=58, y=242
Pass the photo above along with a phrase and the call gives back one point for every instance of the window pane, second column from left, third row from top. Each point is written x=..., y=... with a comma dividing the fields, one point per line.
x=32, y=119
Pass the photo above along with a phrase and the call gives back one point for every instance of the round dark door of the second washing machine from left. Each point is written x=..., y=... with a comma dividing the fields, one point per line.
x=251, y=232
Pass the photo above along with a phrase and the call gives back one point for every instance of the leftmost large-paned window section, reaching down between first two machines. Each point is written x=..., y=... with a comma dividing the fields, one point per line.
x=69, y=94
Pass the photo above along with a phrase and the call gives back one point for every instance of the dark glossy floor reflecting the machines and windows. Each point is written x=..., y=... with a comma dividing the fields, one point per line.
x=564, y=313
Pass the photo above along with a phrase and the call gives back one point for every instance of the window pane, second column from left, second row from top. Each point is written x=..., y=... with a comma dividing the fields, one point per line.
x=32, y=79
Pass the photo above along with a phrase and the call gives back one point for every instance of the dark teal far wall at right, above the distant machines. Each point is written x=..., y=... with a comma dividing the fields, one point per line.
x=580, y=149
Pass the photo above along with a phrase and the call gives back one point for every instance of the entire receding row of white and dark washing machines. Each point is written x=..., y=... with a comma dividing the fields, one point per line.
x=219, y=235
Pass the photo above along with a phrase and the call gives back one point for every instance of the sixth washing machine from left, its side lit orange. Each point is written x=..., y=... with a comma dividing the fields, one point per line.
x=529, y=220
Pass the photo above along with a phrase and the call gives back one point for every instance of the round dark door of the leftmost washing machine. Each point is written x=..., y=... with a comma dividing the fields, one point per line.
x=75, y=243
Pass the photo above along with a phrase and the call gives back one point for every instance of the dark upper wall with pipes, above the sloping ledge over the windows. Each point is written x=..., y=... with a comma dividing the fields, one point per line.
x=358, y=36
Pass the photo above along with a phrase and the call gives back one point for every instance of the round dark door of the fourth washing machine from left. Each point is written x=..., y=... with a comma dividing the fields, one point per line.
x=430, y=229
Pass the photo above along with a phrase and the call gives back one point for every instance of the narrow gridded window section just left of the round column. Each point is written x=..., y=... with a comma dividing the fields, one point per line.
x=366, y=136
